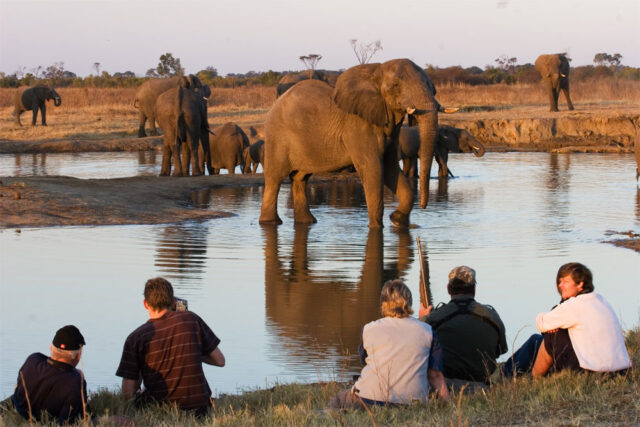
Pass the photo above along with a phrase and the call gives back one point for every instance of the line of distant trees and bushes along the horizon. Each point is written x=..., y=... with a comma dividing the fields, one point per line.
x=506, y=71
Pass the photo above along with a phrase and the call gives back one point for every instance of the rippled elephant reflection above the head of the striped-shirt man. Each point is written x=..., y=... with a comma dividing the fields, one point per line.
x=181, y=250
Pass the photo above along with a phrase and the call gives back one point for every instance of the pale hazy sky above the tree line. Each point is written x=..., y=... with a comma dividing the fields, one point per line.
x=258, y=35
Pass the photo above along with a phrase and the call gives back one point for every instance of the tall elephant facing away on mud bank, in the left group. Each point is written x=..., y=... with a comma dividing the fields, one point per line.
x=182, y=116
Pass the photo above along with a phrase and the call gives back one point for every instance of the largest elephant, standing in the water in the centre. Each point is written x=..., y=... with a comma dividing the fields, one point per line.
x=313, y=129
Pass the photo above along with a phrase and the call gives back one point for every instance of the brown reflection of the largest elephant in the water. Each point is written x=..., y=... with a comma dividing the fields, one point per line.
x=315, y=316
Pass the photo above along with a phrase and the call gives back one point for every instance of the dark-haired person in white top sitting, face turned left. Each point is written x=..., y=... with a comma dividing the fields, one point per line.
x=582, y=333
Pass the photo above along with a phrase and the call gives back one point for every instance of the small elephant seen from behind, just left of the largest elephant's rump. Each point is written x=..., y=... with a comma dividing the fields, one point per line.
x=226, y=148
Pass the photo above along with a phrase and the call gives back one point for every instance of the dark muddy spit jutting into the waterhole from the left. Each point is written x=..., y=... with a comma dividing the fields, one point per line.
x=58, y=200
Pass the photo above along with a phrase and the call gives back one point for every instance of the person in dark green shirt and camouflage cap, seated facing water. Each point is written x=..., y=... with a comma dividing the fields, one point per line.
x=471, y=334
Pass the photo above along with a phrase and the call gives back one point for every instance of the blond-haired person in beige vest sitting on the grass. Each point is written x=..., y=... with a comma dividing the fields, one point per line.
x=402, y=356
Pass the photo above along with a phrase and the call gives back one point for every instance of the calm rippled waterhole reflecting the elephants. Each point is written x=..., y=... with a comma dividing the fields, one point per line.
x=289, y=302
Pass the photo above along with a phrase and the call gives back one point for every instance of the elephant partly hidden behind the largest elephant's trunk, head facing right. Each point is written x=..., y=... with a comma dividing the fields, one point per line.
x=449, y=139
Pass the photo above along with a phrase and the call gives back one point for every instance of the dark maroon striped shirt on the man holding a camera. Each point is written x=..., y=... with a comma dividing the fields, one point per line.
x=168, y=353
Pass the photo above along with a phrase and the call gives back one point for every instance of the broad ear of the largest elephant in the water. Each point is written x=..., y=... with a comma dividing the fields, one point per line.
x=358, y=92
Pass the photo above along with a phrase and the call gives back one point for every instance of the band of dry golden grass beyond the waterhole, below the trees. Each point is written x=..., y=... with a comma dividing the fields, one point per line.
x=102, y=113
